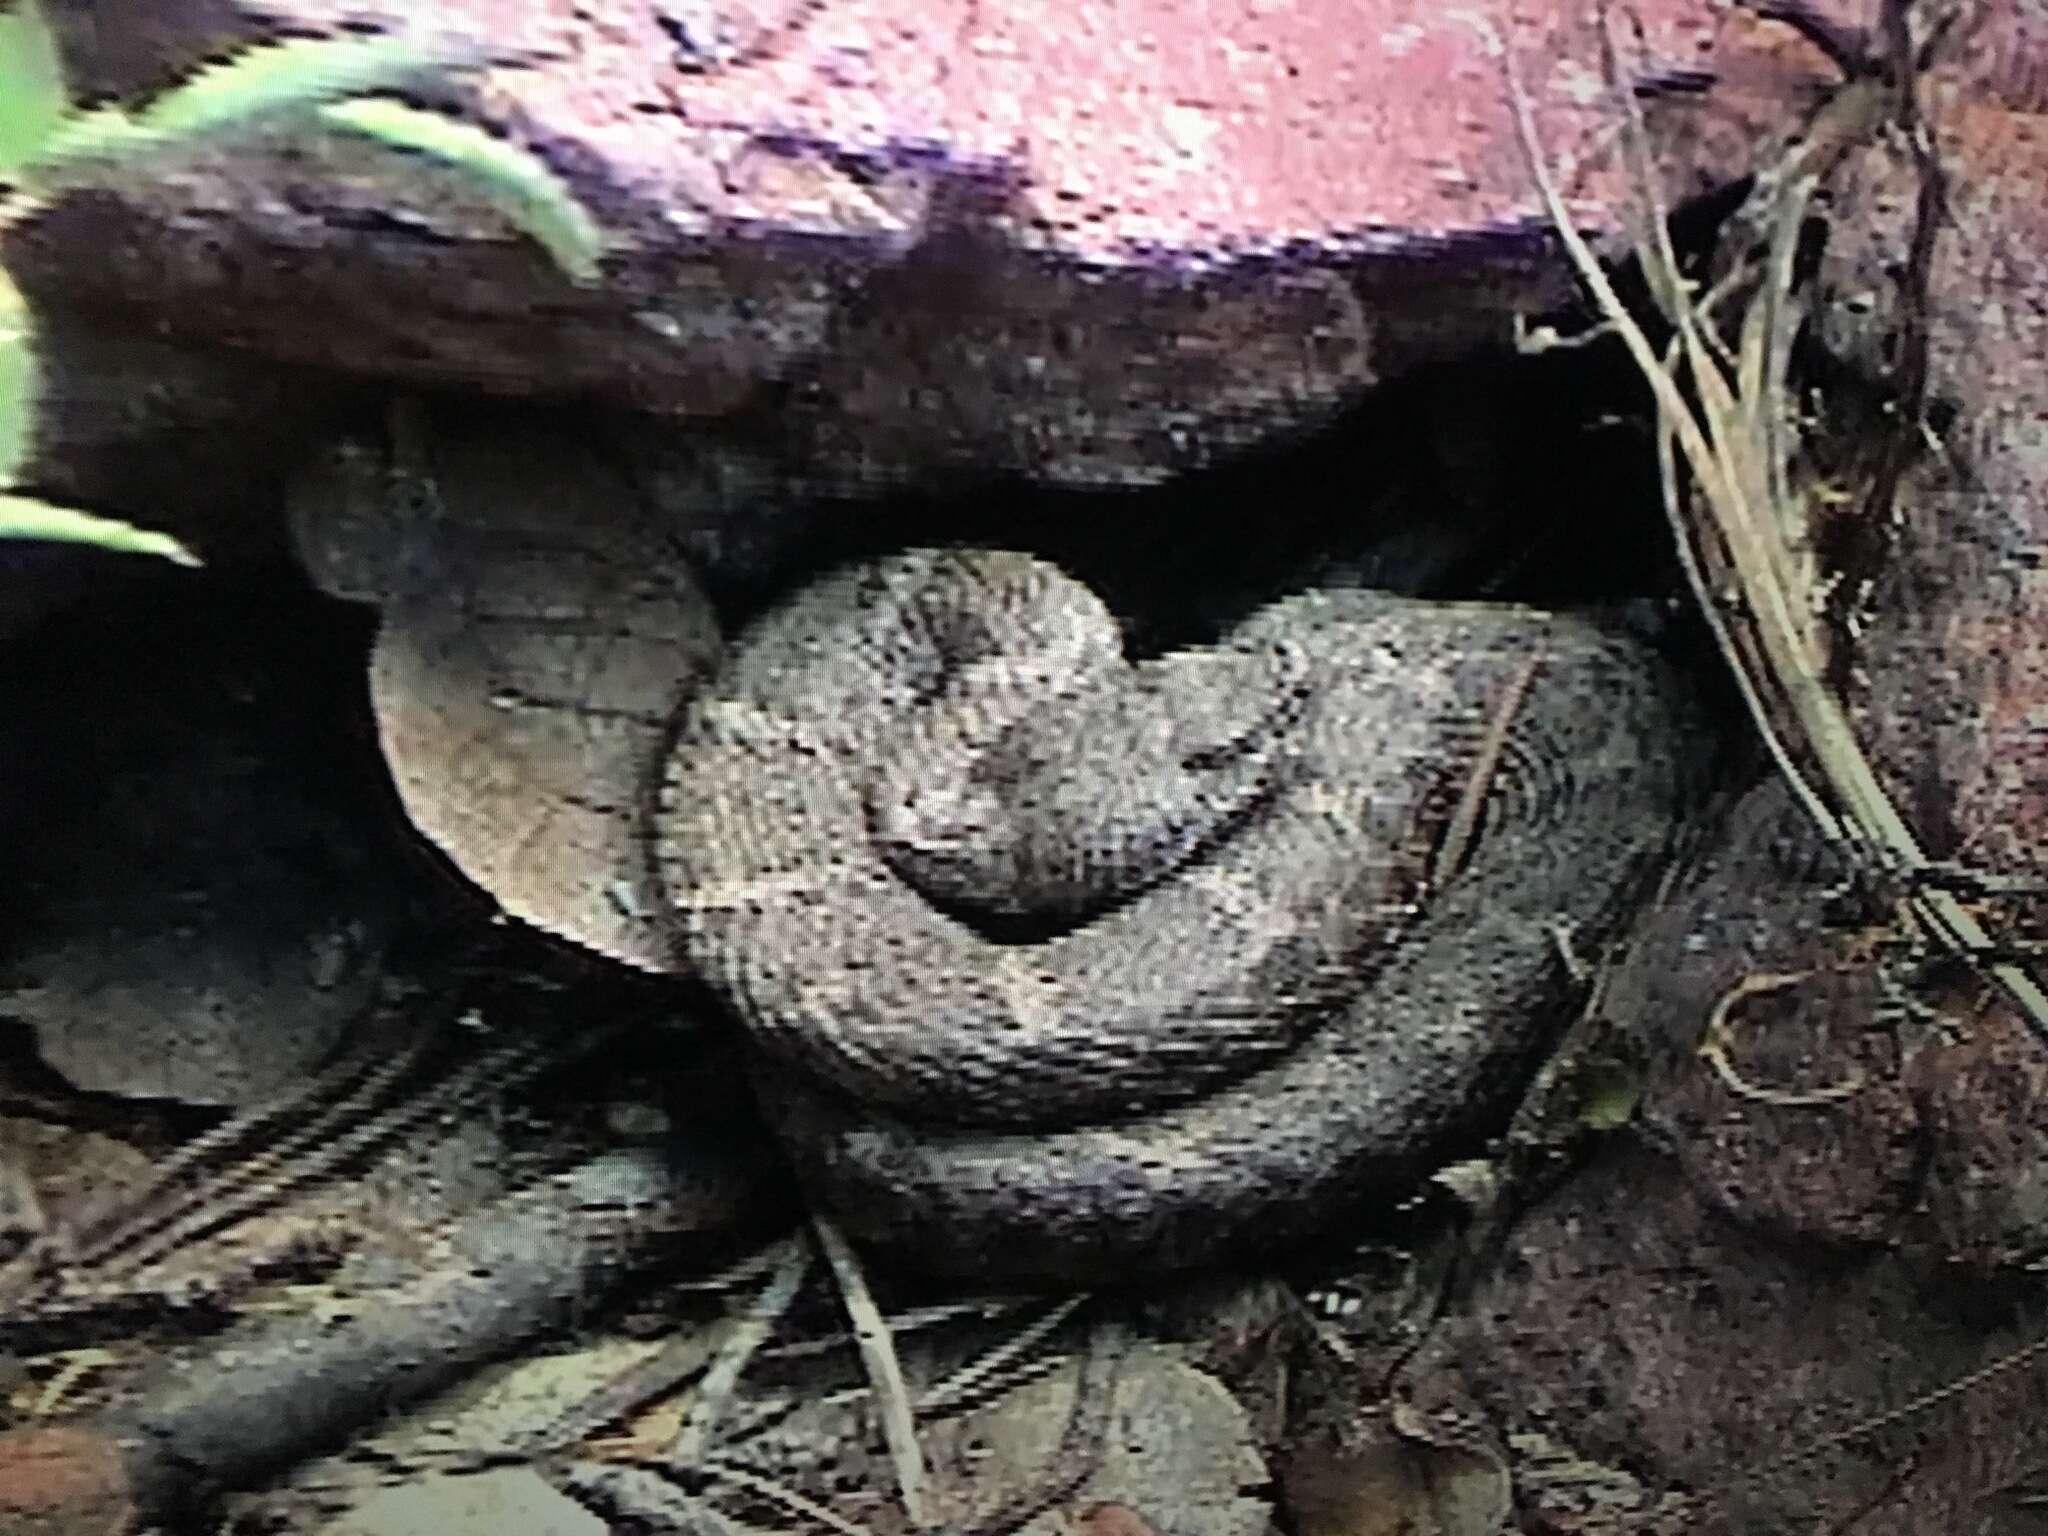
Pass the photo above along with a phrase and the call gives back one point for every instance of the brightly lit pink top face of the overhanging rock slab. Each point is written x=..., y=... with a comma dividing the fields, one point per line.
x=1121, y=132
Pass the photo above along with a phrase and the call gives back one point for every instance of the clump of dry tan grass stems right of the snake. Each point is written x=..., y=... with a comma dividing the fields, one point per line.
x=1738, y=437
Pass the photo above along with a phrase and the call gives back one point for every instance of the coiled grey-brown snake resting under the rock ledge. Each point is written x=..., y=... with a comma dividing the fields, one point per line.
x=1338, y=871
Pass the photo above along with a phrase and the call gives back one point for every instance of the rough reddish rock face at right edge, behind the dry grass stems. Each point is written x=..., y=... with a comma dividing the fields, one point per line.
x=1951, y=658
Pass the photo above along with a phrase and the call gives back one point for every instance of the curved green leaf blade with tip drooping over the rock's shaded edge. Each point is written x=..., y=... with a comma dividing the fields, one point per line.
x=507, y=175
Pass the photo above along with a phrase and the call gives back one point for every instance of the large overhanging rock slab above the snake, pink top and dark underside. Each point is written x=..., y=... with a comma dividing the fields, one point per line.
x=1093, y=243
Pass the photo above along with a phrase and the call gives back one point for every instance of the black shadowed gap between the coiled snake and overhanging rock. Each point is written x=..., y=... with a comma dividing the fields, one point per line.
x=1504, y=478
